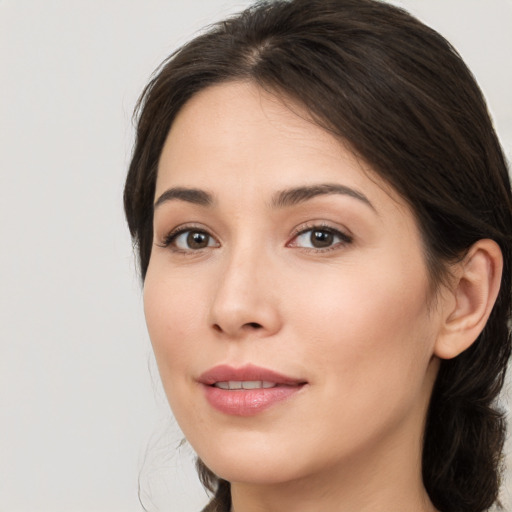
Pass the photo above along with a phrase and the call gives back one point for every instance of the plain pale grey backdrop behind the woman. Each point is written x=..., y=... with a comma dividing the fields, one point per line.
x=80, y=399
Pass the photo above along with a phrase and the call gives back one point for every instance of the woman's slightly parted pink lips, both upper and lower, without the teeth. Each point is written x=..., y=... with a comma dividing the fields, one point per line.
x=247, y=402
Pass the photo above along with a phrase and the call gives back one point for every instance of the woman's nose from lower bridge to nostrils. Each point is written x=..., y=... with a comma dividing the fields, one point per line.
x=245, y=302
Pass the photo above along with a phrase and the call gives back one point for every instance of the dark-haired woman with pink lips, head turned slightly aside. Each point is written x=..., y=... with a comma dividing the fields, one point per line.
x=323, y=217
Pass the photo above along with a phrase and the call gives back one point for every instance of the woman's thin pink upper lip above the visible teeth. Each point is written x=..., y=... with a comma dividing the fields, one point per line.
x=249, y=372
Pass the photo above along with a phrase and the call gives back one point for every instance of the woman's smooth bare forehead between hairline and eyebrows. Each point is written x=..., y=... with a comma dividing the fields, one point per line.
x=236, y=133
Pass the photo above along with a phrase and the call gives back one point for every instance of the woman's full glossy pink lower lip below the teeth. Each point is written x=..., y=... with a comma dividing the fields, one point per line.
x=248, y=402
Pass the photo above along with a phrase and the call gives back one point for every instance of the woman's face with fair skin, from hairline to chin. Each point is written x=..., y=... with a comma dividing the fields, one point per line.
x=283, y=266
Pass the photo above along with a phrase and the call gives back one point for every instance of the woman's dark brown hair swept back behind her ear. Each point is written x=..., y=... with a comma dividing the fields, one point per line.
x=402, y=98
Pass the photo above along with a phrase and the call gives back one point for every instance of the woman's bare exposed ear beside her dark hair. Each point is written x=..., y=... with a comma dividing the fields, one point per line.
x=471, y=298
